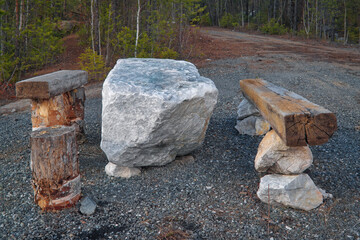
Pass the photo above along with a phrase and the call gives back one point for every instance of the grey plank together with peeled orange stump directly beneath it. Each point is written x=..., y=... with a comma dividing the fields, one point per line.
x=57, y=99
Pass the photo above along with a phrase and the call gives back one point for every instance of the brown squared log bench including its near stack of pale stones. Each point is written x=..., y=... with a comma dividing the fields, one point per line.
x=284, y=151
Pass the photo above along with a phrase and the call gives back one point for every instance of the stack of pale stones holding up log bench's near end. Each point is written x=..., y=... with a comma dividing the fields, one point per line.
x=287, y=184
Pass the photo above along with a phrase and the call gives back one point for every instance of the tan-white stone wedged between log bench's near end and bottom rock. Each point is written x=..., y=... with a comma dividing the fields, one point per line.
x=275, y=157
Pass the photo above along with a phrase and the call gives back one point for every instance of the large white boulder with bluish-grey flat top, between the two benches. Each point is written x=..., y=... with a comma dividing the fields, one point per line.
x=154, y=110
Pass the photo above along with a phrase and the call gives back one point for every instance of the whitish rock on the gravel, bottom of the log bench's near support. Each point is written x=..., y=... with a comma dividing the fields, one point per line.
x=296, y=191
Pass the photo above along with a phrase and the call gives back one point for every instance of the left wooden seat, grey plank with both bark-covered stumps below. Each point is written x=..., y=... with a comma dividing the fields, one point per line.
x=57, y=126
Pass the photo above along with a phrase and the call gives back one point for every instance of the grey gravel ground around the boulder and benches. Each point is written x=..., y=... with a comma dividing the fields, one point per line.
x=212, y=197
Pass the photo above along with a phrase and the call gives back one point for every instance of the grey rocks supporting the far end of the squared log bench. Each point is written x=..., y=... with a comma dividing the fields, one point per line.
x=250, y=121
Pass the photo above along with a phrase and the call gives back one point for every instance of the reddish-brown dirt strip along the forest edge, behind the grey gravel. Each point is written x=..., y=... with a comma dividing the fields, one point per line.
x=224, y=43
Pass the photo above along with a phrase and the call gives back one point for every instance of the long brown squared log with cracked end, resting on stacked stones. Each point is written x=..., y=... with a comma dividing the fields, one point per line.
x=295, y=119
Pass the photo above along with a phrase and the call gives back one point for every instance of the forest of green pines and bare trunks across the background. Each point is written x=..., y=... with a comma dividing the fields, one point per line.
x=32, y=31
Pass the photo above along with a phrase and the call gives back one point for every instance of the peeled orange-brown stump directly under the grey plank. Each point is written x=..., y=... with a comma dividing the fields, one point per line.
x=65, y=109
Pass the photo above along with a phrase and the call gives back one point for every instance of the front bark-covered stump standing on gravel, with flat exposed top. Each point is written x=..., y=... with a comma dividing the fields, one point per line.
x=55, y=167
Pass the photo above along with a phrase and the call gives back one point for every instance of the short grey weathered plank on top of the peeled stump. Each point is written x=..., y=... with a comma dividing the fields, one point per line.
x=52, y=84
